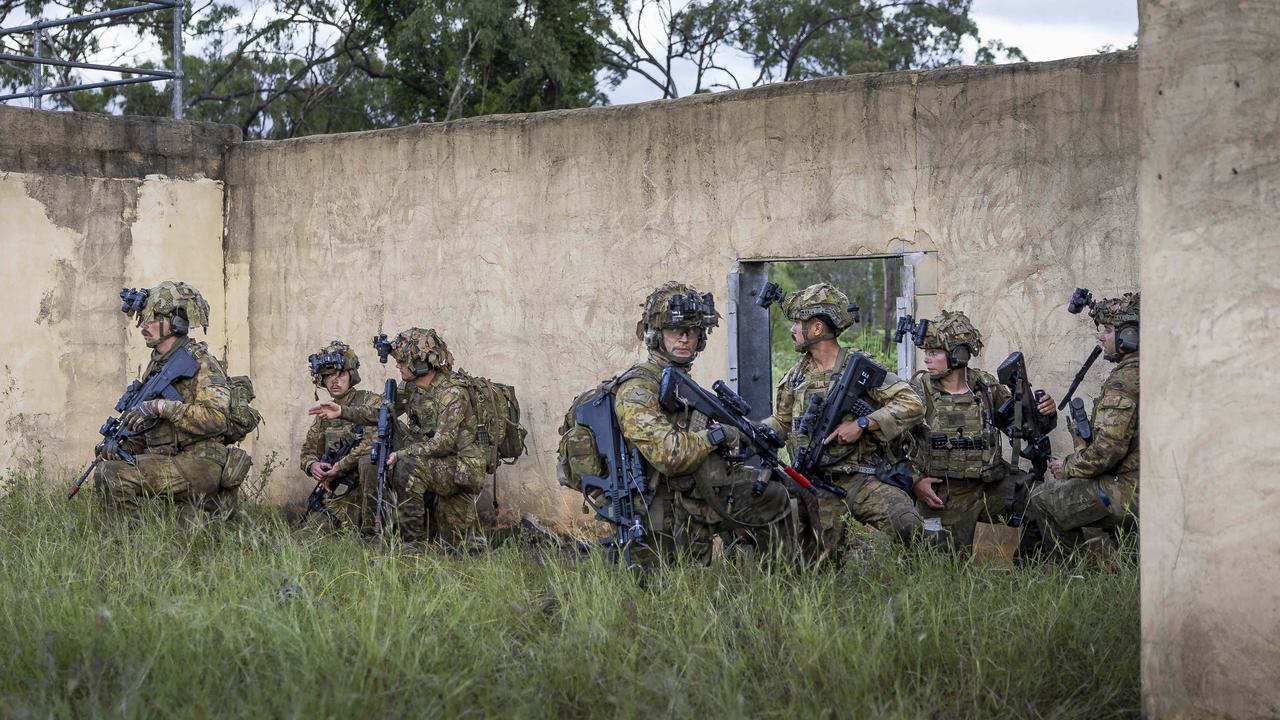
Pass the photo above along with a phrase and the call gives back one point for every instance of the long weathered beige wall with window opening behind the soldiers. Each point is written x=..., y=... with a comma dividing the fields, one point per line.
x=529, y=241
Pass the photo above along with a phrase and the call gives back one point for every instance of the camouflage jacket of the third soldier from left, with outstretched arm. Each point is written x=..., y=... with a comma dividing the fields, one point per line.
x=441, y=421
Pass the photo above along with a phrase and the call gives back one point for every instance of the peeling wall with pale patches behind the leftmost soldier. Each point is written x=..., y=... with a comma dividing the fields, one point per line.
x=86, y=212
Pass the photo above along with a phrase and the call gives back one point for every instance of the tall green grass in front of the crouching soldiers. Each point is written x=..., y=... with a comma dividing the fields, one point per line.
x=260, y=619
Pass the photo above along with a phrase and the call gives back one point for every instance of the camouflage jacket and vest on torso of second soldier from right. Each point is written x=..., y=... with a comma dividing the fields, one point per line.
x=966, y=423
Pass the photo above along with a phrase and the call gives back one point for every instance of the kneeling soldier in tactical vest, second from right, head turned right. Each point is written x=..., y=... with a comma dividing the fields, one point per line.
x=964, y=476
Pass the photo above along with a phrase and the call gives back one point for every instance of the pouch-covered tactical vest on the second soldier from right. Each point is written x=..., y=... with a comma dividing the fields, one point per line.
x=961, y=440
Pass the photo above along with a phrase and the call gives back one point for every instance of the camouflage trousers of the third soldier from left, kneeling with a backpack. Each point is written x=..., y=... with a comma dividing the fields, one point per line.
x=429, y=499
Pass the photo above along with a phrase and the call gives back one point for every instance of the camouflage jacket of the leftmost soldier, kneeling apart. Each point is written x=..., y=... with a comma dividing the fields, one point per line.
x=205, y=398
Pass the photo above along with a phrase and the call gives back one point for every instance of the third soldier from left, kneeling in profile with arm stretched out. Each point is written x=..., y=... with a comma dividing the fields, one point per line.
x=438, y=467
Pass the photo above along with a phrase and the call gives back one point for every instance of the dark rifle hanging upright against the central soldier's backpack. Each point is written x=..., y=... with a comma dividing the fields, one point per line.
x=624, y=486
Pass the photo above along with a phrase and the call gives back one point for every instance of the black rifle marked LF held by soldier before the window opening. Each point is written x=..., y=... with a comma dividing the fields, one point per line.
x=851, y=395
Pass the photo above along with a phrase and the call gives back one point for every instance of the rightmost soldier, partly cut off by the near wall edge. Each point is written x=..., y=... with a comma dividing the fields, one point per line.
x=1098, y=485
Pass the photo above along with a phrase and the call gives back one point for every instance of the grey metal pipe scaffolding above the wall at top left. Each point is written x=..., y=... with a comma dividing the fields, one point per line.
x=39, y=60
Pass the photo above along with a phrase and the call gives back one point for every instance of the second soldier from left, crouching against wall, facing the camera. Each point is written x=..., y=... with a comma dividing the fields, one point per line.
x=337, y=370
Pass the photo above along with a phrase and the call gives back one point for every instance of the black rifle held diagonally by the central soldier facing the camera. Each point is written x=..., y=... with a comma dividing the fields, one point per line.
x=678, y=391
